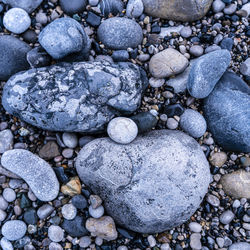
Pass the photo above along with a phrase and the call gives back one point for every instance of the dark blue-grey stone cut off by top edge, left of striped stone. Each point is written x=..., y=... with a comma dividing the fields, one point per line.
x=73, y=6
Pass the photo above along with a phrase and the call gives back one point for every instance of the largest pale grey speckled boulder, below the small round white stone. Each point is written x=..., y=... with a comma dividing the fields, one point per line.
x=151, y=185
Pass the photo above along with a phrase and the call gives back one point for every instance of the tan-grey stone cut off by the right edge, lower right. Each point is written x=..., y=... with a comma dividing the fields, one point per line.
x=236, y=184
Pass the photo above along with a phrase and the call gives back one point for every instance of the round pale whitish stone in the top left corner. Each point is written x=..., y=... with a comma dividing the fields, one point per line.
x=16, y=20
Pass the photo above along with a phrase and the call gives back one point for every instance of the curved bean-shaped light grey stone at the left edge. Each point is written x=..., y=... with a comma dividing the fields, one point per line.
x=36, y=172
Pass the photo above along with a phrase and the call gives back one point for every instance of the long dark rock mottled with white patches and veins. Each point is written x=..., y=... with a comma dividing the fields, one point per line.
x=80, y=97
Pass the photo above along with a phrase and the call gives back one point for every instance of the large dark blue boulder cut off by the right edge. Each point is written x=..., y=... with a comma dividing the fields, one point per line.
x=227, y=113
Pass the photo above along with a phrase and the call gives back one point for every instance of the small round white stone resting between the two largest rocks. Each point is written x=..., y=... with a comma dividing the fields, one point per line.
x=122, y=130
